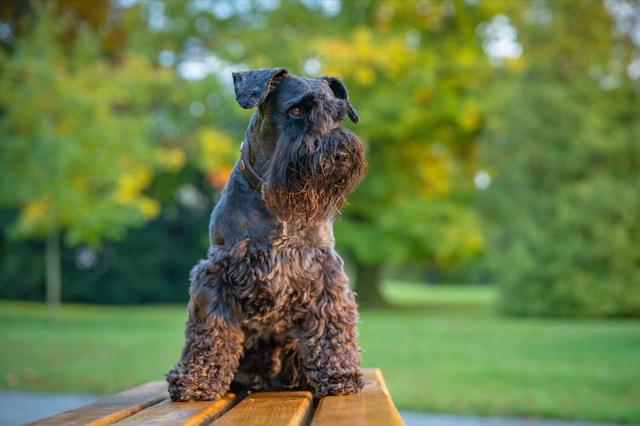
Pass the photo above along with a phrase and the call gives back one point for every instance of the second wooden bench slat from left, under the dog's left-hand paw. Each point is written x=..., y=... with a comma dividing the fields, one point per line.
x=190, y=413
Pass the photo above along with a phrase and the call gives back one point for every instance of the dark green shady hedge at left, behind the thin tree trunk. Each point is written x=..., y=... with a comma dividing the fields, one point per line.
x=151, y=265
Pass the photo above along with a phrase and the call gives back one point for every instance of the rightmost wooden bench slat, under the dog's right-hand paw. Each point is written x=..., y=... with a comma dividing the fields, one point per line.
x=371, y=407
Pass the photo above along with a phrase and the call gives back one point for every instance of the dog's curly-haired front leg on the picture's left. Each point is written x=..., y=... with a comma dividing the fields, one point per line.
x=213, y=345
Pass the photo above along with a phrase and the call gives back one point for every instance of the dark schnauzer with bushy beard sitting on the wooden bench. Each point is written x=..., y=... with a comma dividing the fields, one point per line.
x=270, y=307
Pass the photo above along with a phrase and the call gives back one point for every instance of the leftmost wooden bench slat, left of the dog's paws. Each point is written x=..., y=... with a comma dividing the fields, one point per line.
x=111, y=409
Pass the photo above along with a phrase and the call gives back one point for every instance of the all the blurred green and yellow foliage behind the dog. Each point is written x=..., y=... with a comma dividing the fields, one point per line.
x=97, y=119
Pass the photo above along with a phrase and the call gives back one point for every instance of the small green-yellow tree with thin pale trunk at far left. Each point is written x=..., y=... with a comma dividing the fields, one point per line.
x=77, y=149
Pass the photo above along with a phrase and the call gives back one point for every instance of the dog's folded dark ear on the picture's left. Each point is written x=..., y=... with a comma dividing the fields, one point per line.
x=253, y=87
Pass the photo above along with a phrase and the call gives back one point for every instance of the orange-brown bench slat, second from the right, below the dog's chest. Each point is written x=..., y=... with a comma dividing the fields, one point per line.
x=270, y=409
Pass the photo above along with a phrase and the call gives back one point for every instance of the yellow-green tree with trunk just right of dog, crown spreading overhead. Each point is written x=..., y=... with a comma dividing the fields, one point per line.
x=413, y=69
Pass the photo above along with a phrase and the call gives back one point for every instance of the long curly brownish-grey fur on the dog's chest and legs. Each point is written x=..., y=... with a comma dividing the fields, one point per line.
x=286, y=312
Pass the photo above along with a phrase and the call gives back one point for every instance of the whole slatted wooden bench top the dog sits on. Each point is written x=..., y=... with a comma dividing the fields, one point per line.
x=149, y=404
